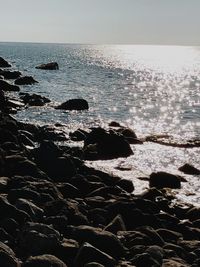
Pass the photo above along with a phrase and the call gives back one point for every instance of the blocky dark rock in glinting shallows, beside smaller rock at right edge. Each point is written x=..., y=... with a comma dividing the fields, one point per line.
x=163, y=179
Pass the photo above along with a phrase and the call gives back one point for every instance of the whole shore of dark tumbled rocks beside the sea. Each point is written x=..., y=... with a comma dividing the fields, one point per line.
x=56, y=211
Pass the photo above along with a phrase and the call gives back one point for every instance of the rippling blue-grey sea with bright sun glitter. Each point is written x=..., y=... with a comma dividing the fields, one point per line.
x=154, y=90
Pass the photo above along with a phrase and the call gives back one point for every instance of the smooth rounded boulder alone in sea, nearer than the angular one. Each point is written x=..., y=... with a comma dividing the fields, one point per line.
x=74, y=104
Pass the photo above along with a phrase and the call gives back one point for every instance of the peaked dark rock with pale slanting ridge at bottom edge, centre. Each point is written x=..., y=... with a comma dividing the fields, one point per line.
x=88, y=253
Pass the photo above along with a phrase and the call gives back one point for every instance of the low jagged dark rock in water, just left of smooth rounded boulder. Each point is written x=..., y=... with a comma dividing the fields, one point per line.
x=34, y=99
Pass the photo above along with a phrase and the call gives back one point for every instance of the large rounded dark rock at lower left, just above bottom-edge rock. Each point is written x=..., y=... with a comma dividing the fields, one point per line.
x=37, y=239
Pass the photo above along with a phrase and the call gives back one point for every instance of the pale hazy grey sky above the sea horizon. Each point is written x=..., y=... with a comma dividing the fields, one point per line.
x=101, y=21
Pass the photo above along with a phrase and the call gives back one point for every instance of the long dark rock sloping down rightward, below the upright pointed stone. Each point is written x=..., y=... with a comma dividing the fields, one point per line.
x=103, y=240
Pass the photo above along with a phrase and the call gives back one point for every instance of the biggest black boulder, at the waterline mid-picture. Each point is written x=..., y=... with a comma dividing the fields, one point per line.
x=102, y=144
